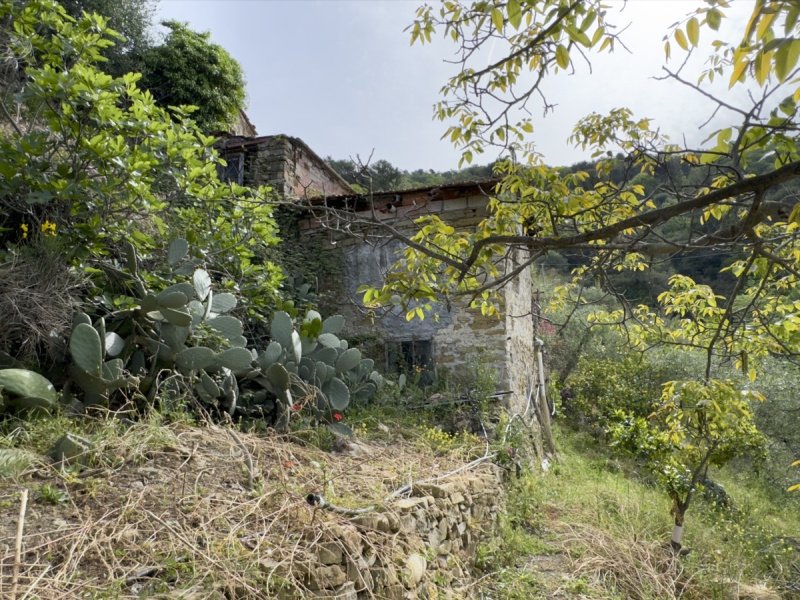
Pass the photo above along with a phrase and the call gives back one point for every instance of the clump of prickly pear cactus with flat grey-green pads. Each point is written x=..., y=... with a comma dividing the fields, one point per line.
x=176, y=336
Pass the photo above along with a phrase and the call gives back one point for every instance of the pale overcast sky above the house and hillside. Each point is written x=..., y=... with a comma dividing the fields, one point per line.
x=341, y=75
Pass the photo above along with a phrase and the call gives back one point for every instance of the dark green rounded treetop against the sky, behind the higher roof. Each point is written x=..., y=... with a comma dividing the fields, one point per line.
x=190, y=70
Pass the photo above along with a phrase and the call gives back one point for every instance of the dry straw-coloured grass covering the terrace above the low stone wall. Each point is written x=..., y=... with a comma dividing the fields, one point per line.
x=172, y=513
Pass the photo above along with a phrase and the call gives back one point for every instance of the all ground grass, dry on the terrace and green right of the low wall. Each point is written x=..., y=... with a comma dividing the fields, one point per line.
x=162, y=491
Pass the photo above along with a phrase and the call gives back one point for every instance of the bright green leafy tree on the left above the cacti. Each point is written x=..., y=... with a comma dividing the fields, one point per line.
x=91, y=160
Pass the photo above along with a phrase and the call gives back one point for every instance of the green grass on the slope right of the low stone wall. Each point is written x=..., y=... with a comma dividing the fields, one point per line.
x=610, y=529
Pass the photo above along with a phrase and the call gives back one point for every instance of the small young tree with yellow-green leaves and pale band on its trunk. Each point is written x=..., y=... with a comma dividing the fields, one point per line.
x=693, y=426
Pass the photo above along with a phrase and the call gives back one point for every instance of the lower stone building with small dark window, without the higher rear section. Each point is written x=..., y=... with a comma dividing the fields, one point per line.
x=456, y=338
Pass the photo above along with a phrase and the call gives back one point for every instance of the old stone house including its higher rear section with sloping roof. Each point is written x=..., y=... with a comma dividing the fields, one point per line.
x=457, y=338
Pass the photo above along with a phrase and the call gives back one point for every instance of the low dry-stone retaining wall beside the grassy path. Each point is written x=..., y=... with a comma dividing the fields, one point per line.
x=422, y=546
